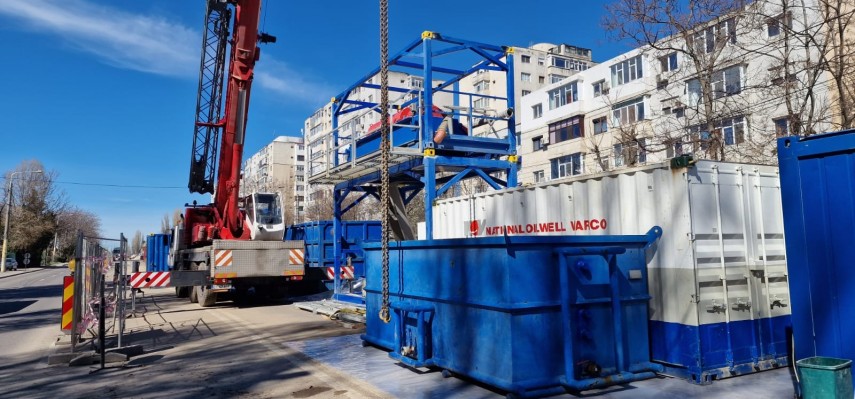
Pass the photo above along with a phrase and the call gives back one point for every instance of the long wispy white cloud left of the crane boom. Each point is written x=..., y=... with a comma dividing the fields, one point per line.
x=143, y=43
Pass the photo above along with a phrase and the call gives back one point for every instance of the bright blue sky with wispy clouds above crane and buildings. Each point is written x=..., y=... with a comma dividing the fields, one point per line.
x=104, y=91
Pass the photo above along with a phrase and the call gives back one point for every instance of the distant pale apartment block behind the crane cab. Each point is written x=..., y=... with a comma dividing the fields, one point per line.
x=279, y=167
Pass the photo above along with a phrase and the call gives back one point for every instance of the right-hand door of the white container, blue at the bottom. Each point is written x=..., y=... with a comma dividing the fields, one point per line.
x=768, y=263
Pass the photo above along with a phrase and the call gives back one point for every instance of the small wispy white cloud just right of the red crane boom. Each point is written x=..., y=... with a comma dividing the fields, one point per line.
x=279, y=78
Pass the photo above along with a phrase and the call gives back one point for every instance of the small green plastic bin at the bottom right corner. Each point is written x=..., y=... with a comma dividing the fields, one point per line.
x=825, y=378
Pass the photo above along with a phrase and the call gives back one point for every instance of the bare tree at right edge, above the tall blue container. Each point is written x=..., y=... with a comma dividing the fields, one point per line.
x=815, y=56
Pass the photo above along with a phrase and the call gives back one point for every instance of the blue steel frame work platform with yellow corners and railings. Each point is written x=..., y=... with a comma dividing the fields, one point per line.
x=433, y=147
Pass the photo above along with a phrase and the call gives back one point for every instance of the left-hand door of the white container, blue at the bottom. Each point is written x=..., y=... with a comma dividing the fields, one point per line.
x=725, y=315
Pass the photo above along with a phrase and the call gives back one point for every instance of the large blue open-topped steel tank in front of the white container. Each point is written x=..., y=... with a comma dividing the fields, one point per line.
x=529, y=315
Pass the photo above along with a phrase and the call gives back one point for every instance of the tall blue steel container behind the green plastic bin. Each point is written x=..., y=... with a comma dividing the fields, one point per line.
x=818, y=193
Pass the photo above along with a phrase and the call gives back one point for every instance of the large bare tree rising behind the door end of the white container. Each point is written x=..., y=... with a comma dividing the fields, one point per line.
x=704, y=36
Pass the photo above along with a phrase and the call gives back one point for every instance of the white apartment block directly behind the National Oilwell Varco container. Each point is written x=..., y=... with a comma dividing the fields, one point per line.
x=648, y=104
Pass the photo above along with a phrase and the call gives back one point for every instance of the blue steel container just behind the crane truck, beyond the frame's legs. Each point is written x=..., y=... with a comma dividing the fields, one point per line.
x=319, y=241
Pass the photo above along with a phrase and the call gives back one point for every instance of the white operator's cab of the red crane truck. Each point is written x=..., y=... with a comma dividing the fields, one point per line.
x=264, y=216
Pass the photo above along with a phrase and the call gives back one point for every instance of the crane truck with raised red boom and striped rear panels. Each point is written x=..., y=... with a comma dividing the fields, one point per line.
x=235, y=243
